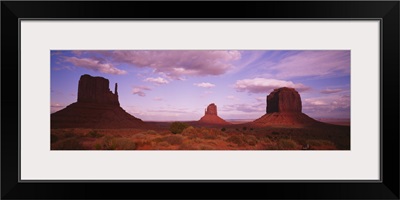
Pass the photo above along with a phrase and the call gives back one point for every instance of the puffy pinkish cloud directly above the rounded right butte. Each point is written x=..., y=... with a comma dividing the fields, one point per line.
x=263, y=85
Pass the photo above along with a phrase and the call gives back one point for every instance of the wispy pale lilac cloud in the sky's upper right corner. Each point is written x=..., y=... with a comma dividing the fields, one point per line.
x=313, y=63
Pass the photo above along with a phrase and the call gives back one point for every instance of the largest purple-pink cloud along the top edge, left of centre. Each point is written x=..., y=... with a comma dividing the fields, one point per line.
x=176, y=64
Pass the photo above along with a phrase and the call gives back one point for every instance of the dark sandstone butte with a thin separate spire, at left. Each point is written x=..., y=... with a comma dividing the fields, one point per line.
x=96, y=107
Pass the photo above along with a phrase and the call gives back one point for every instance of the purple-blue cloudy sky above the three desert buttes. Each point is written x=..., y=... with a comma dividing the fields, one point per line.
x=170, y=85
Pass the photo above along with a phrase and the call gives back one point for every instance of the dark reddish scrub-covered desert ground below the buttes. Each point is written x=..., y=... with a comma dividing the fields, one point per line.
x=195, y=136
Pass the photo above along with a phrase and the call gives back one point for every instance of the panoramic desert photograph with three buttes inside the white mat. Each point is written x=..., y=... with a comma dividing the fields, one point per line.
x=294, y=100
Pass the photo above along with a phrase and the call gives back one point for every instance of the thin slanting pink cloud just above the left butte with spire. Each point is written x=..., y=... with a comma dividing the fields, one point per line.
x=94, y=64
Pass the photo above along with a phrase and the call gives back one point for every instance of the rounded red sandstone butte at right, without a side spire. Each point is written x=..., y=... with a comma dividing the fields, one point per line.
x=284, y=109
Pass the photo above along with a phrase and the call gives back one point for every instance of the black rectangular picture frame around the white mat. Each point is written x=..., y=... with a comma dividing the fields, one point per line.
x=386, y=11
